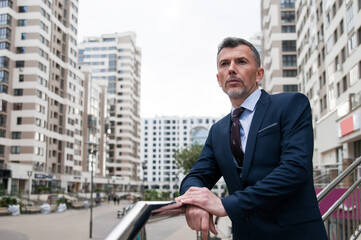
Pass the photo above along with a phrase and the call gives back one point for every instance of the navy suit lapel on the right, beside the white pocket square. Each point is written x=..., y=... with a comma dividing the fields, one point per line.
x=258, y=116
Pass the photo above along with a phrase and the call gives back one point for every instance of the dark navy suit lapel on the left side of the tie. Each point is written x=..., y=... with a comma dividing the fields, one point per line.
x=229, y=170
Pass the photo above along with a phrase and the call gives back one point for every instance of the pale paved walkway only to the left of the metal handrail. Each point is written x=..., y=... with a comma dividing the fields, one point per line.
x=72, y=224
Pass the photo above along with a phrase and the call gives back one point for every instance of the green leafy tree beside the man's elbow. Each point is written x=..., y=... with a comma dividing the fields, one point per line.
x=186, y=158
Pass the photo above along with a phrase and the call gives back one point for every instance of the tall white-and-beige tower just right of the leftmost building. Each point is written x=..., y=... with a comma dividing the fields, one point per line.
x=115, y=59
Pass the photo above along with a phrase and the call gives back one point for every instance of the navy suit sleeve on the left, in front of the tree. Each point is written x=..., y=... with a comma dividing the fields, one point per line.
x=205, y=172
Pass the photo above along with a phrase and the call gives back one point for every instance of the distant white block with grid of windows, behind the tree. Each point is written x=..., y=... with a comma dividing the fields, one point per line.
x=161, y=137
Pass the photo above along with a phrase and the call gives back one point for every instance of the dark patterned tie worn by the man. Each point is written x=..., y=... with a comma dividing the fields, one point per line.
x=236, y=144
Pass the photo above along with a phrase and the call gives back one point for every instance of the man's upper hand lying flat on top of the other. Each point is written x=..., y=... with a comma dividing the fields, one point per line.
x=205, y=199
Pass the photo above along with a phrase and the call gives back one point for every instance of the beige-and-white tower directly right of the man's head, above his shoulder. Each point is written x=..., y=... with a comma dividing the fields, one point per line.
x=279, y=57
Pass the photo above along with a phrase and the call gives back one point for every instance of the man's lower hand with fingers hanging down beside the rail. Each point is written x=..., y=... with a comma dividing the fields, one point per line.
x=200, y=220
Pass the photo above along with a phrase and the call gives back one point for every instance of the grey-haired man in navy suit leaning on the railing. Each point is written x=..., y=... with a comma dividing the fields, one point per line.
x=269, y=176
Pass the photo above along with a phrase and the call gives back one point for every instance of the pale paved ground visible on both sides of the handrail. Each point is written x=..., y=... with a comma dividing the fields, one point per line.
x=74, y=224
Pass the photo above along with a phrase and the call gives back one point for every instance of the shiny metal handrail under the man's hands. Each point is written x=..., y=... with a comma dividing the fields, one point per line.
x=133, y=223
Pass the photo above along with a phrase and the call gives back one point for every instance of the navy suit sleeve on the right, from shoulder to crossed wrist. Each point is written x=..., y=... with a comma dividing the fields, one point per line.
x=293, y=171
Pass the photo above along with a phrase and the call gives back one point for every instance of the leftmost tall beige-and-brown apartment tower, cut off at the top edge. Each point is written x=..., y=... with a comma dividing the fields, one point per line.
x=41, y=92
